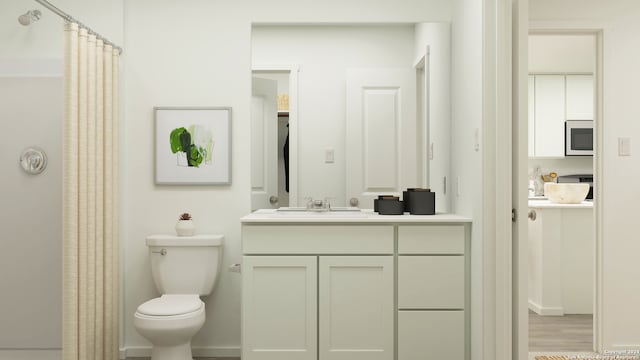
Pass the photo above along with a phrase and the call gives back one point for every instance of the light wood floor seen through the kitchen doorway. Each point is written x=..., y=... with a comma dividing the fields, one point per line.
x=560, y=333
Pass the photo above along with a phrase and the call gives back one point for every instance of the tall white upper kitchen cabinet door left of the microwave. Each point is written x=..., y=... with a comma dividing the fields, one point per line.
x=550, y=115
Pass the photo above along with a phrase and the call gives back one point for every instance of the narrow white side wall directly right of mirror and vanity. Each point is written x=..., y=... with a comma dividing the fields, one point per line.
x=466, y=162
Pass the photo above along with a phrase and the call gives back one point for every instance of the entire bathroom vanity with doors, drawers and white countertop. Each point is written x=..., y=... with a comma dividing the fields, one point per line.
x=373, y=288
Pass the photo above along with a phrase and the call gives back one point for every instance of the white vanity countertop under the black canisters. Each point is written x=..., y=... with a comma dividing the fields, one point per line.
x=365, y=216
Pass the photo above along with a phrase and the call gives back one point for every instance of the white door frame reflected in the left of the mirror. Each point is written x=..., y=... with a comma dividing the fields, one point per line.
x=292, y=70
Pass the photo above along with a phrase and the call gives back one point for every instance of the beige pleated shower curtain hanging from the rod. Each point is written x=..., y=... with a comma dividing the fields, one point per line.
x=90, y=198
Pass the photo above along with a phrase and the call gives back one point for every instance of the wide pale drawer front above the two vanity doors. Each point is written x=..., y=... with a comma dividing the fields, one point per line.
x=312, y=239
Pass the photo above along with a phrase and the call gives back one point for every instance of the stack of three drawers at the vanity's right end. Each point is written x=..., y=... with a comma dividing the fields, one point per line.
x=431, y=292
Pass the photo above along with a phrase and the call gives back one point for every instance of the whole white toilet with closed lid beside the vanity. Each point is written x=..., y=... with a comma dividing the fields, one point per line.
x=183, y=269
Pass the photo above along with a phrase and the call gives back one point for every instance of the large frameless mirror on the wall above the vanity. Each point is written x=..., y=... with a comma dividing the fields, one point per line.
x=315, y=66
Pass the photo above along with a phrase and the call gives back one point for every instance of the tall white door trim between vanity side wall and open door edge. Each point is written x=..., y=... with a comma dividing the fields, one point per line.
x=497, y=179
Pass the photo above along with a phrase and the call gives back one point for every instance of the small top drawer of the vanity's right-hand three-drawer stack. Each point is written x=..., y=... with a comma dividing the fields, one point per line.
x=433, y=239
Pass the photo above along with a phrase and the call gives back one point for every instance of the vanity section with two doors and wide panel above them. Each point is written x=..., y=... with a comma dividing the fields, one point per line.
x=318, y=306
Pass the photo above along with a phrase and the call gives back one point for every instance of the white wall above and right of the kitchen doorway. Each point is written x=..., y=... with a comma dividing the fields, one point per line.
x=620, y=20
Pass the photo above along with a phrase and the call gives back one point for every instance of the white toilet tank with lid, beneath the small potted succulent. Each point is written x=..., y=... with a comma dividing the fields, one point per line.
x=185, y=264
